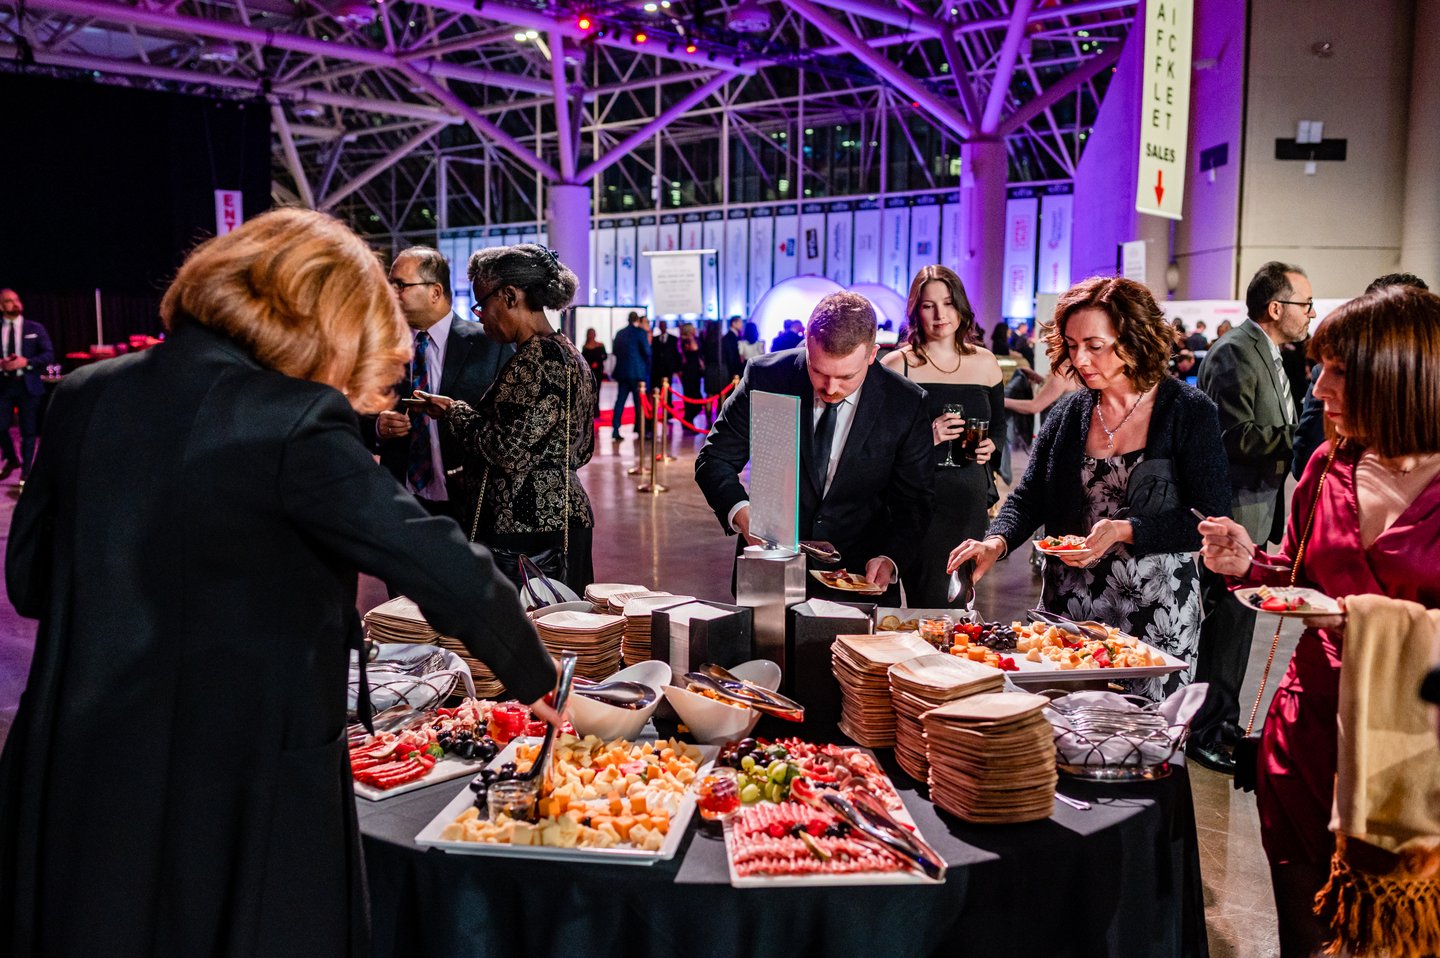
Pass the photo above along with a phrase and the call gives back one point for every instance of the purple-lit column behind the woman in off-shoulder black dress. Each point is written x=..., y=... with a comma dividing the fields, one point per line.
x=984, y=174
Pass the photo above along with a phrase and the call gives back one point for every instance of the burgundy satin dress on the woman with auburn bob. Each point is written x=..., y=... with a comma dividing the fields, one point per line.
x=1298, y=746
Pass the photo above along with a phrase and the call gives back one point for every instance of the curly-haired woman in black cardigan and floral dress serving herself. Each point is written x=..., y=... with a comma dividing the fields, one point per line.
x=1121, y=462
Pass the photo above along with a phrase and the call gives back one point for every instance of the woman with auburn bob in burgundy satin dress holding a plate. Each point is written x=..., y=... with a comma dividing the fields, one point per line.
x=1376, y=531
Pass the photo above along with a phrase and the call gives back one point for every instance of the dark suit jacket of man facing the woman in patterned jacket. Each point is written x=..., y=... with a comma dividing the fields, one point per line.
x=472, y=364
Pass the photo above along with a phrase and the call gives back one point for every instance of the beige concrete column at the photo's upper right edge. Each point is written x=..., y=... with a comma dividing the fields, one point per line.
x=1421, y=228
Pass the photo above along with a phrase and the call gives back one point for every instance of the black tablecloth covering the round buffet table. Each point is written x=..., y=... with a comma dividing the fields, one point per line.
x=1120, y=879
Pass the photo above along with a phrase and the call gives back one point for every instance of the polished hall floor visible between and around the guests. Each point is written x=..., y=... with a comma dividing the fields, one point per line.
x=675, y=542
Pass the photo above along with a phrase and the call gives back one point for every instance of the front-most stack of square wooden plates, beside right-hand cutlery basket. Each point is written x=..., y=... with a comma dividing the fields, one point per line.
x=993, y=758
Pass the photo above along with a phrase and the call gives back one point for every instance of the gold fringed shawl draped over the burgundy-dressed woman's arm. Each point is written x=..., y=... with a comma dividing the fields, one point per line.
x=1385, y=891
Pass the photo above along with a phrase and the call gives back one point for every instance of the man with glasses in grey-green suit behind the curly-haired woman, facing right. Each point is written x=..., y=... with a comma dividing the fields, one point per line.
x=1245, y=375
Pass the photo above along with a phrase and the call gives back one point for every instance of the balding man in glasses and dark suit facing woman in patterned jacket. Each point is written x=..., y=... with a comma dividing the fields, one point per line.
x=453, y=358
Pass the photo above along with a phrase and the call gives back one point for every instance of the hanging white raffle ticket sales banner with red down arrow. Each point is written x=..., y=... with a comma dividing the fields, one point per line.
x=1166, y=107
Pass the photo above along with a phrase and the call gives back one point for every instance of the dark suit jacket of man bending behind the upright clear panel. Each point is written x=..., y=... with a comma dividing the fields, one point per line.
x=879, y=502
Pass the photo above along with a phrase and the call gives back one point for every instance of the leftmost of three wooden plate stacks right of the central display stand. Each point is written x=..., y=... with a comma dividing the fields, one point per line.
x=862, y=666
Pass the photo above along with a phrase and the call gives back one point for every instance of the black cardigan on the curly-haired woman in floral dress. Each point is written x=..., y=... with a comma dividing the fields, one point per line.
x=1184, y=427
